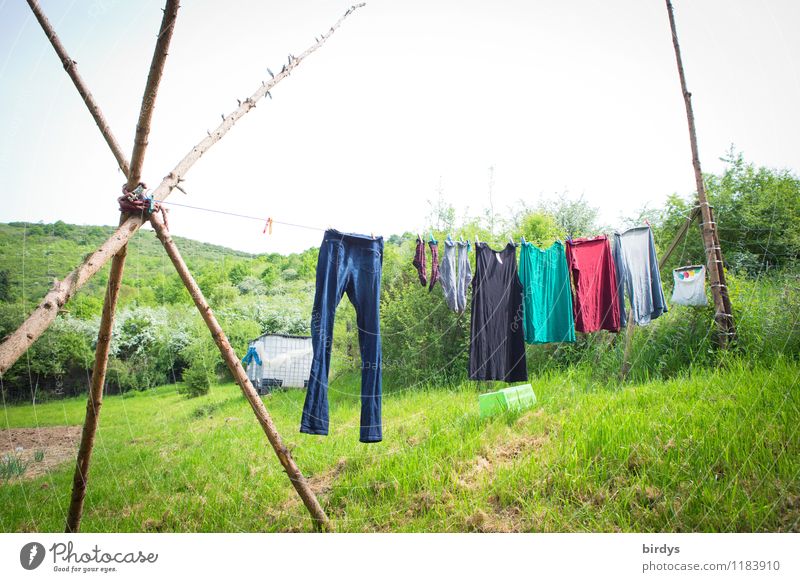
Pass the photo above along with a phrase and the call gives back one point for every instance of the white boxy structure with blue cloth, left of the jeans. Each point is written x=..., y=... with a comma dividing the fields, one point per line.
x=279, y=361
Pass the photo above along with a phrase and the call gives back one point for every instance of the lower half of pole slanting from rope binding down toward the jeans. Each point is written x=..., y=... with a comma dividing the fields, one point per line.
x=239, y=374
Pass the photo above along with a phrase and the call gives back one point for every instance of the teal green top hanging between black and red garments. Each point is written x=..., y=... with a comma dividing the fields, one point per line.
x=547, y=296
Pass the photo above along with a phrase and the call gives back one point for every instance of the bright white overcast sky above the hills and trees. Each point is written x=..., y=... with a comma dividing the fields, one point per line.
x=577, y=95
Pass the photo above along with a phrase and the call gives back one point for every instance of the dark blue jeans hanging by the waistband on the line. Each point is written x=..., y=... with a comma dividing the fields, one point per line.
x=348, y=263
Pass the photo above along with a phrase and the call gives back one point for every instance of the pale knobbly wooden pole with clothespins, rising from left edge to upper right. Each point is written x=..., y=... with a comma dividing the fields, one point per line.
x=40, y=319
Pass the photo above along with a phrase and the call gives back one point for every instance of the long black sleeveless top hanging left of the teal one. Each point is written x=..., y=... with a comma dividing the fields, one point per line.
x=497, y=344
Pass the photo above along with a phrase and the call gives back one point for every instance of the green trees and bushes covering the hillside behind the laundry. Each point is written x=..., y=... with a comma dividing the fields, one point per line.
x=159, y=338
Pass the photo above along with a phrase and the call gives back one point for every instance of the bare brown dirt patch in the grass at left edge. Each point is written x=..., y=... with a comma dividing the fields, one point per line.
x=58, y=444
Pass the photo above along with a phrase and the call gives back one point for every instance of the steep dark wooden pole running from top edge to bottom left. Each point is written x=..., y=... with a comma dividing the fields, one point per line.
x=95, y=398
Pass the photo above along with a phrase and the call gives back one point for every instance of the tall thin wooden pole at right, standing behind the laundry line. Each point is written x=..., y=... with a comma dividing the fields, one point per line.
x=716, y=272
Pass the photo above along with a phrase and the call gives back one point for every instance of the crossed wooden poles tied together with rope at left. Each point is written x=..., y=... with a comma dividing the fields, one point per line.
x=115, y=249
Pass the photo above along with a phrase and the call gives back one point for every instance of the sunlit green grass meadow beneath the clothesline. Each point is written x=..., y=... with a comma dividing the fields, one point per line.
x=707, y=451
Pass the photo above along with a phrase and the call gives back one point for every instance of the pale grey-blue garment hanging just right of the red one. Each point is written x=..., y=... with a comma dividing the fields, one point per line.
x=639, y=277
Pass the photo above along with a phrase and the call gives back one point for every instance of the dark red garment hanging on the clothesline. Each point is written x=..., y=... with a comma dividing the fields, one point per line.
x=594, y=277
